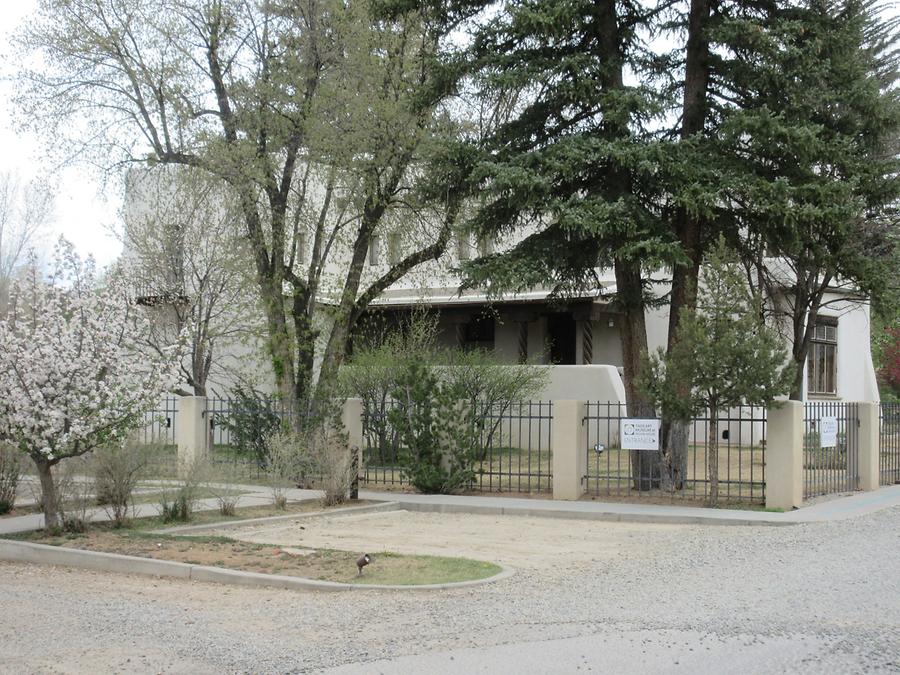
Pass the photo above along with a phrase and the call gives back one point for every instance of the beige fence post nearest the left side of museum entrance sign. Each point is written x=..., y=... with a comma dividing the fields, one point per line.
x=569, y=447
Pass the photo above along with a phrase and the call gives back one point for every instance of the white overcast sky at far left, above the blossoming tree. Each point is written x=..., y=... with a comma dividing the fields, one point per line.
x=82, y=214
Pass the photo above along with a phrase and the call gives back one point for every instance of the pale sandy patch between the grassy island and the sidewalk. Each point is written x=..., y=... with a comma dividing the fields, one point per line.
x=520, y=542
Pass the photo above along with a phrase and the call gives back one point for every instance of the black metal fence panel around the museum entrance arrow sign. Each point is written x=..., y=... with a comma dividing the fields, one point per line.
x=682, y=473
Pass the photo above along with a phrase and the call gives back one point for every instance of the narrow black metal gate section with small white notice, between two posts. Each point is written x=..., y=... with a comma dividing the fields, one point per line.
x=830, y=448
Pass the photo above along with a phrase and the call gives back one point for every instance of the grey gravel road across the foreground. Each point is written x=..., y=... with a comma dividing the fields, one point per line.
x=812, y=598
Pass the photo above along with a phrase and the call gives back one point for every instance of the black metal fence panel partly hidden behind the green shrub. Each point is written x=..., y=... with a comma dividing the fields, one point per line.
x=512, y=451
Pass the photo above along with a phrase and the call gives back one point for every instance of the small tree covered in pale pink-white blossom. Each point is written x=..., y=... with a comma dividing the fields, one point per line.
x=71, y=376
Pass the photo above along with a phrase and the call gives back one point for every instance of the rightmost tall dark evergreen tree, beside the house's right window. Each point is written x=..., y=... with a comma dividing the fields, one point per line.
x=809, y=120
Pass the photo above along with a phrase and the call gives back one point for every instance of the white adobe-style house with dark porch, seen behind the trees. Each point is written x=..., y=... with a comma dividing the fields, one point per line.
x=536, y=328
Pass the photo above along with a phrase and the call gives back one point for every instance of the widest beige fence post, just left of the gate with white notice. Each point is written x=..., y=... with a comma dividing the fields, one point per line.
x=784, y=456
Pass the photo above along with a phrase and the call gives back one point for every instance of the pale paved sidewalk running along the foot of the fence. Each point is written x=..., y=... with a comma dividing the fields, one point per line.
x=837, y=508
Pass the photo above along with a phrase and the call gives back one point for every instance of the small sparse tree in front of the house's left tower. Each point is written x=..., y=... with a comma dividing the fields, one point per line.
x=187, y=262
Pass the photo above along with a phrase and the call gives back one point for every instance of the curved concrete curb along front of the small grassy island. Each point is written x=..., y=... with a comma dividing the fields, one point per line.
x=42, y=554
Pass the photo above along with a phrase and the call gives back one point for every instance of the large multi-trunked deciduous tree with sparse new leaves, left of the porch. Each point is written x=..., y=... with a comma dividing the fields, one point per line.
x=260, y=95
